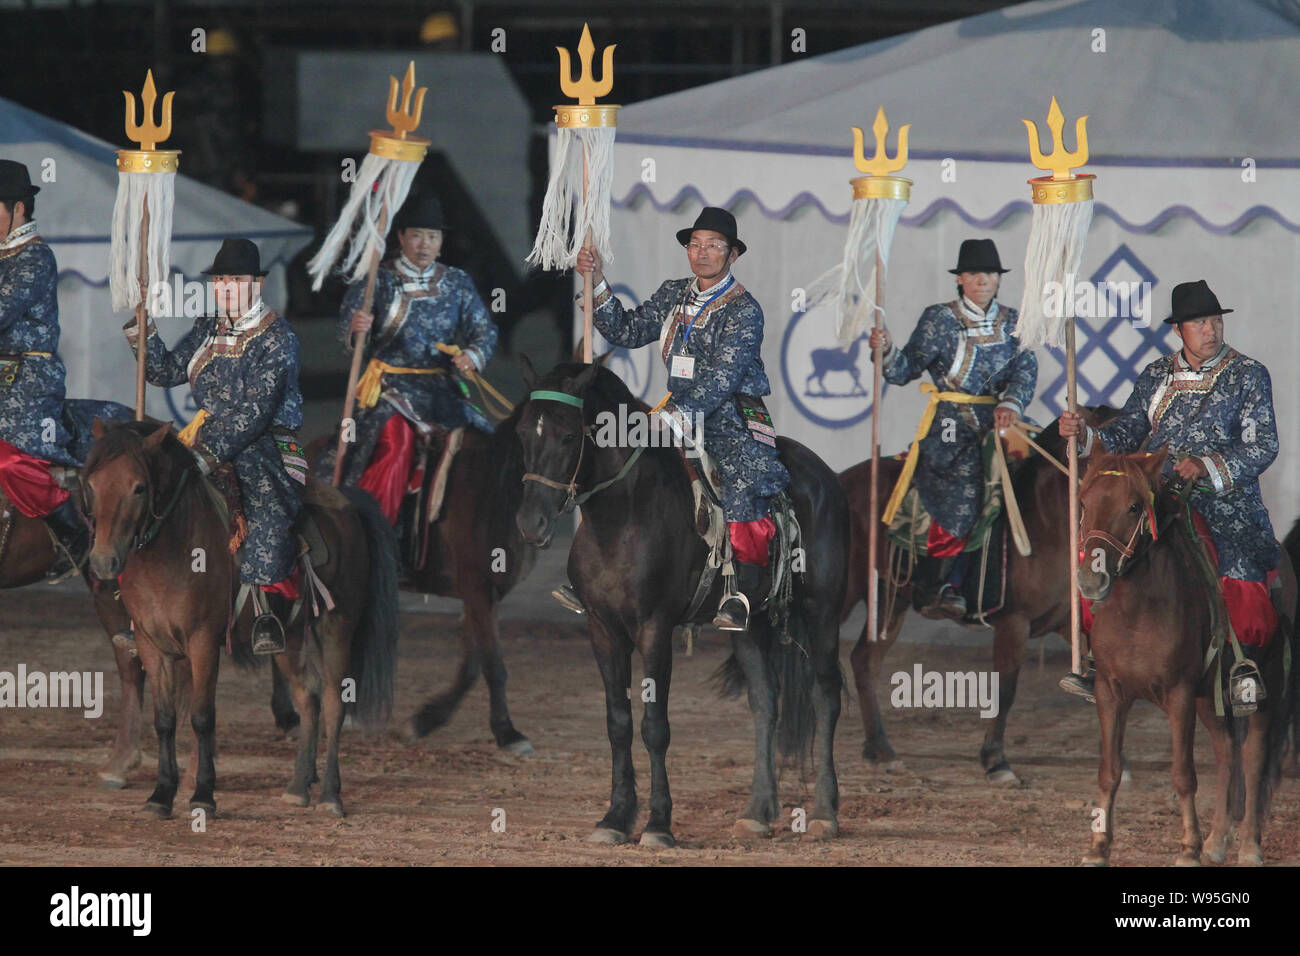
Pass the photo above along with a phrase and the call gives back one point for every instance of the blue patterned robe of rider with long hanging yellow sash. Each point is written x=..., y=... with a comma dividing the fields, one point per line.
x=974, y=354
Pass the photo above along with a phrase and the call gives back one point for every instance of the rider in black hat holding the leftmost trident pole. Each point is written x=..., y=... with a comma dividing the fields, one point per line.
x=242, y=367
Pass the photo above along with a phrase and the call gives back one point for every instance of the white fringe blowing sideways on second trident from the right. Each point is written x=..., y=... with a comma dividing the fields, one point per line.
x=852, y=284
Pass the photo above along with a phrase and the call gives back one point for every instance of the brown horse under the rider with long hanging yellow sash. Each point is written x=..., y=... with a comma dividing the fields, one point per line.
x=1038, y=598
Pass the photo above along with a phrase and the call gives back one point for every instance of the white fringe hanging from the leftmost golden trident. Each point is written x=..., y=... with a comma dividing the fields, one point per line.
x=124, y=257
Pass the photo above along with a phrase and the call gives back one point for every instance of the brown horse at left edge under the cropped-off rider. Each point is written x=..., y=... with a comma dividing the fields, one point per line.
x=27, y=556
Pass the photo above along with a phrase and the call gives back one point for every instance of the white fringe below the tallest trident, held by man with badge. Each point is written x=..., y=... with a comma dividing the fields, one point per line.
x=566, y=215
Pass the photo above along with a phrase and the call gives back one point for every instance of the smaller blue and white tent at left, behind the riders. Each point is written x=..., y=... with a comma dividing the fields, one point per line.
x=77, y=175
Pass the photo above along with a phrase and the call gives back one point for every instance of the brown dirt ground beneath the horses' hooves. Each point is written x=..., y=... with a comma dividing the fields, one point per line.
x=435, y=803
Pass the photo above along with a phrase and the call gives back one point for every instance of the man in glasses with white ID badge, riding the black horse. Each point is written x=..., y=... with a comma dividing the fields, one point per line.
x=710, y=334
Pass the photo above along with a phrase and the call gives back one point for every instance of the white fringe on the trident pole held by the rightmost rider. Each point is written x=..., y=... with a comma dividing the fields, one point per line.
x=1055, y=254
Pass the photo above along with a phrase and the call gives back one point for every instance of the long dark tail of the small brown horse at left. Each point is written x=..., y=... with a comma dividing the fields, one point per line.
x=375, y=644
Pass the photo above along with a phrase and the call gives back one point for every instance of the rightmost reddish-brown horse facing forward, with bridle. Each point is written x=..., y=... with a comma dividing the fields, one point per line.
x=1150, y=639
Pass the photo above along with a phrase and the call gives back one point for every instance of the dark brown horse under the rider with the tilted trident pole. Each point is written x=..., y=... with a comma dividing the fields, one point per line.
x=476, y=555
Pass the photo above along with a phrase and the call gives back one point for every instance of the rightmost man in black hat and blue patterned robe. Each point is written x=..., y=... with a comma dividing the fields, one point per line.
x=1214, y=406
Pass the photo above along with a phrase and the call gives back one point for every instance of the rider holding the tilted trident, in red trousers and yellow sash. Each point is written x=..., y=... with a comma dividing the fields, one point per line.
x=431, y=322
